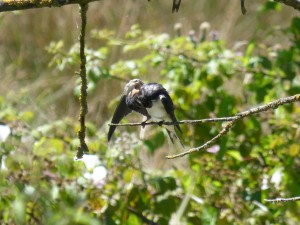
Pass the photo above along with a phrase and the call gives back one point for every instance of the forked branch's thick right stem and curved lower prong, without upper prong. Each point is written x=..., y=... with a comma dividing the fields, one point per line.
x=226, y=129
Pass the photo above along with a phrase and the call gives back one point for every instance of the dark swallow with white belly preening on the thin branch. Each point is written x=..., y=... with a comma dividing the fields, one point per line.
x=151, y=100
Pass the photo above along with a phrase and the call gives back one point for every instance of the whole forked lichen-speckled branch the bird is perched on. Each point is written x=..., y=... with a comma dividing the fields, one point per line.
x=232, y=120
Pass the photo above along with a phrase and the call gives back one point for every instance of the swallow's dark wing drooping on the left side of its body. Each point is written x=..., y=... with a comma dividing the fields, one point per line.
x=121, y=111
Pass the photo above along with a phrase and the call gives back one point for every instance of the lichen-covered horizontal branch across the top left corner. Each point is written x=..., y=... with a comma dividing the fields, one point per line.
x=12, y=5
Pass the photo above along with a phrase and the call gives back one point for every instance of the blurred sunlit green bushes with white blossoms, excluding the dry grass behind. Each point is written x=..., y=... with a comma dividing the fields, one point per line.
x=42, y=184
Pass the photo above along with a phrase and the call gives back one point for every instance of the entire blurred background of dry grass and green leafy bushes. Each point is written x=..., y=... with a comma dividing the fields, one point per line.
x=231, y=64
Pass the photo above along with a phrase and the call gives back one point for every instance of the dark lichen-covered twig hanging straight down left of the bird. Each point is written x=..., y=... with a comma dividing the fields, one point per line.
x=83, y=89
